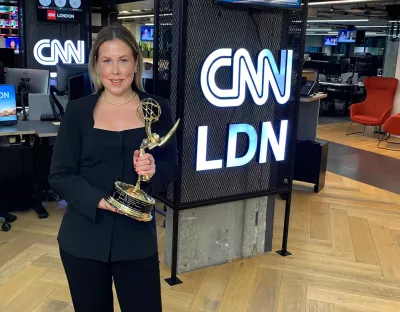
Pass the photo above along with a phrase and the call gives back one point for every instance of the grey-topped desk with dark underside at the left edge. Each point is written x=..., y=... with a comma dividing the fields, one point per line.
x=27, y=155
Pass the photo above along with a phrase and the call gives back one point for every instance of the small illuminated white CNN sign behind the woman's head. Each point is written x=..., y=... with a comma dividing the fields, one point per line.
x=58, y=52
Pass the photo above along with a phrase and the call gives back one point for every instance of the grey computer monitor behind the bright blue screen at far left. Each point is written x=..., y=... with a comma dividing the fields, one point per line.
x=38, y=79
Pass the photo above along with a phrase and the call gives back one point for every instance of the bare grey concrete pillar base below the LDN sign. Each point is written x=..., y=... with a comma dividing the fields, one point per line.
x=218, y=234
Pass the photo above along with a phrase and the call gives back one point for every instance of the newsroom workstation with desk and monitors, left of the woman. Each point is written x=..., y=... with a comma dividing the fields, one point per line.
x=30, y=111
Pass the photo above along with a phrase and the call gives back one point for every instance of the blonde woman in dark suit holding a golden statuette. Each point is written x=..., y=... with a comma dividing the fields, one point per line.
x=97, y=144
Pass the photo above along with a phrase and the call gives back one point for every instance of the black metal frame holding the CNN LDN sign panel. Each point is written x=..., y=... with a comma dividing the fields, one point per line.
x=176, y=206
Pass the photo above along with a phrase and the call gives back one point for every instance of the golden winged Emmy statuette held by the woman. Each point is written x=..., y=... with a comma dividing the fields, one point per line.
x=131, y=200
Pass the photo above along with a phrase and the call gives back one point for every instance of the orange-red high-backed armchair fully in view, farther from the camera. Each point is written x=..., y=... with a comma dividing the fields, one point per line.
x=377, y=107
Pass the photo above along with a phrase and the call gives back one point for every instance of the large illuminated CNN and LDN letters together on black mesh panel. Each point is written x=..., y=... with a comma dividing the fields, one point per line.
x=258, y=81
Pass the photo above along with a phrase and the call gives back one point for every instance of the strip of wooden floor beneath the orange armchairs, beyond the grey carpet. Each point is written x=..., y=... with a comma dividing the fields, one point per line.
x=367, y=141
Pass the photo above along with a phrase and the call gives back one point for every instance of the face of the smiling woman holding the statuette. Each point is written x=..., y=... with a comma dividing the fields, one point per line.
x=116, y=66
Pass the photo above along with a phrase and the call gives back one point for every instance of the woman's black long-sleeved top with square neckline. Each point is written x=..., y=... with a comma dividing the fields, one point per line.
x=85, y=164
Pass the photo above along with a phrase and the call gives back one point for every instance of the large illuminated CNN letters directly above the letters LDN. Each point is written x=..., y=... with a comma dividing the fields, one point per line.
x=245, y=74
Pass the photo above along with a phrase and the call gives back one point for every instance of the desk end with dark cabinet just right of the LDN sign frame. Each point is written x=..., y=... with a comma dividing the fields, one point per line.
x=311, y=154
